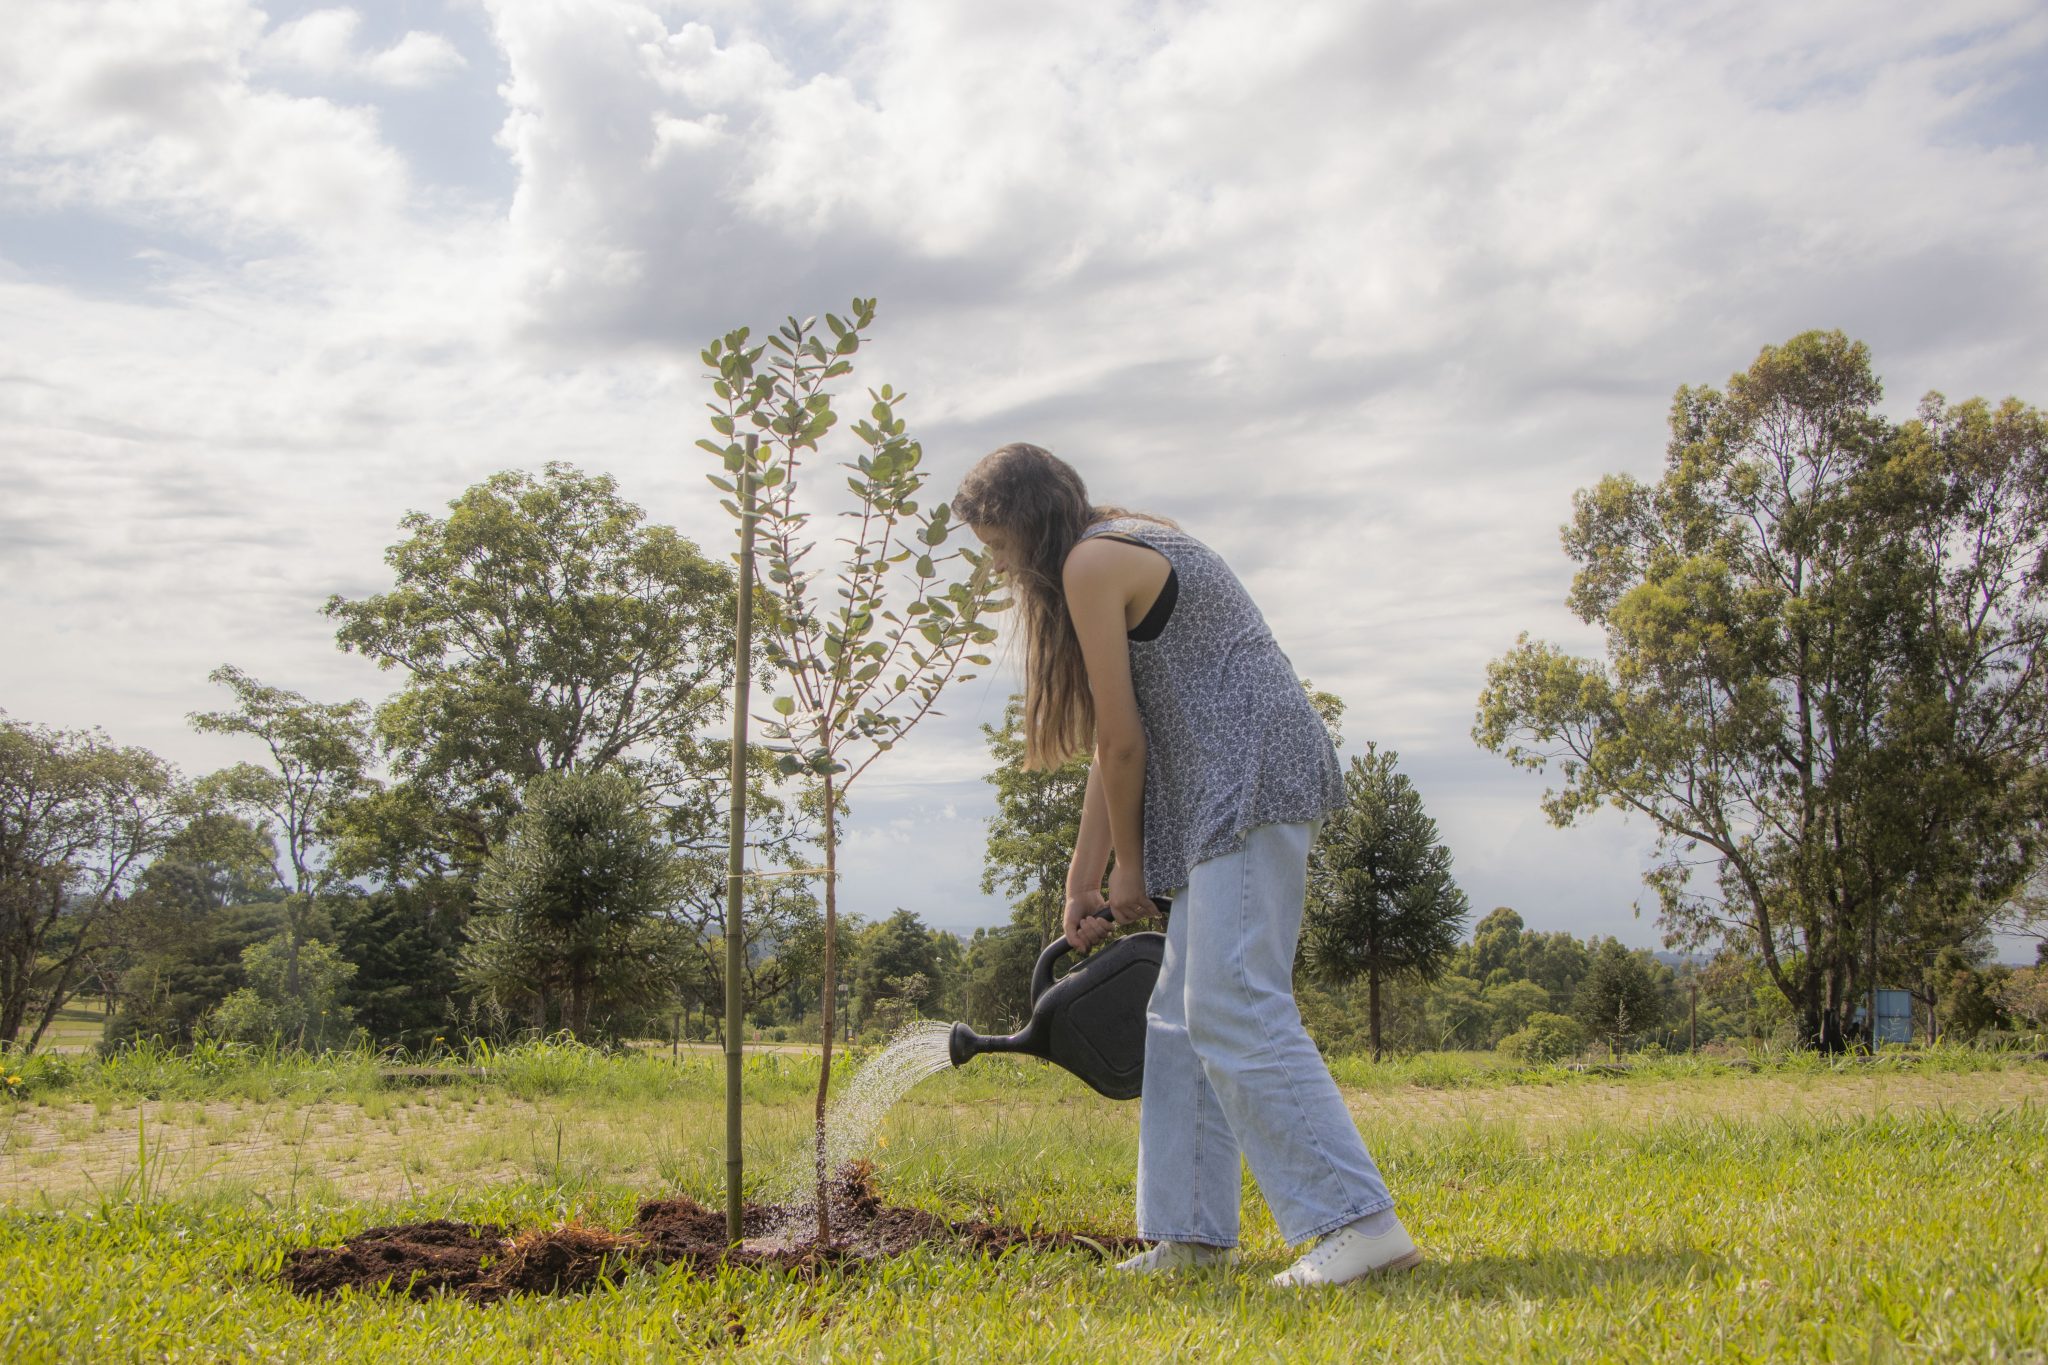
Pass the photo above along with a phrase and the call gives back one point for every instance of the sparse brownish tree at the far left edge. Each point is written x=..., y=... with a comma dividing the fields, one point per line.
x=79, y=822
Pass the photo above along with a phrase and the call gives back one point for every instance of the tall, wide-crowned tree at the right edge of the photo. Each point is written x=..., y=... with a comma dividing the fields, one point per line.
x=1824, y=670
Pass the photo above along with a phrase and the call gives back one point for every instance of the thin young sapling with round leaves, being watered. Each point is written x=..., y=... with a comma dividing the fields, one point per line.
x=861, y=648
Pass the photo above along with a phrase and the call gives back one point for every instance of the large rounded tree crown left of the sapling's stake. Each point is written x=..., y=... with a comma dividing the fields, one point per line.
x=542, y=625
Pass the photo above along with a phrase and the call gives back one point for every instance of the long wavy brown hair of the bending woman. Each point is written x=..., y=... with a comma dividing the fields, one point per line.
x=1043, y=507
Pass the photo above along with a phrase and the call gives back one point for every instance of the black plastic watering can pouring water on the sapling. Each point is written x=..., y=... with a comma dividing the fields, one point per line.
x=1091, y=1020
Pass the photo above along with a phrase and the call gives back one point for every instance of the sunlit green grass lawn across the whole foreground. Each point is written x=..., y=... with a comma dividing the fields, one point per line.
x=1684, y=1213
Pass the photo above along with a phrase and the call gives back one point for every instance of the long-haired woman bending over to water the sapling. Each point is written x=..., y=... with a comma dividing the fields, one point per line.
x=1211, y=775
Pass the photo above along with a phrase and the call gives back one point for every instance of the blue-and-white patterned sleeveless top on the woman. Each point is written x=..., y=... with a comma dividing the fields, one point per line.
x=1230, y=736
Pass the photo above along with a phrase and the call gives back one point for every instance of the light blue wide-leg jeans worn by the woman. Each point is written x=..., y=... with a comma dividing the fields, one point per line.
x=1230, y=1069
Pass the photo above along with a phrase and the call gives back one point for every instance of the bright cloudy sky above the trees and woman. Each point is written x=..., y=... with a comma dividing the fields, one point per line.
x=1359, y=292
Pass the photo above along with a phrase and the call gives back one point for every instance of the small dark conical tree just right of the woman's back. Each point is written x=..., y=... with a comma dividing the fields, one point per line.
x=1381, y=897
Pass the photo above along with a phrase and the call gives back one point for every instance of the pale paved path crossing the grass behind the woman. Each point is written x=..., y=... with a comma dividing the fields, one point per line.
x=462, y=1139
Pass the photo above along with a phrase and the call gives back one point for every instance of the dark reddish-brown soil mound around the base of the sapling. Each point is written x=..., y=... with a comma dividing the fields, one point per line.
x=484, y=1264
